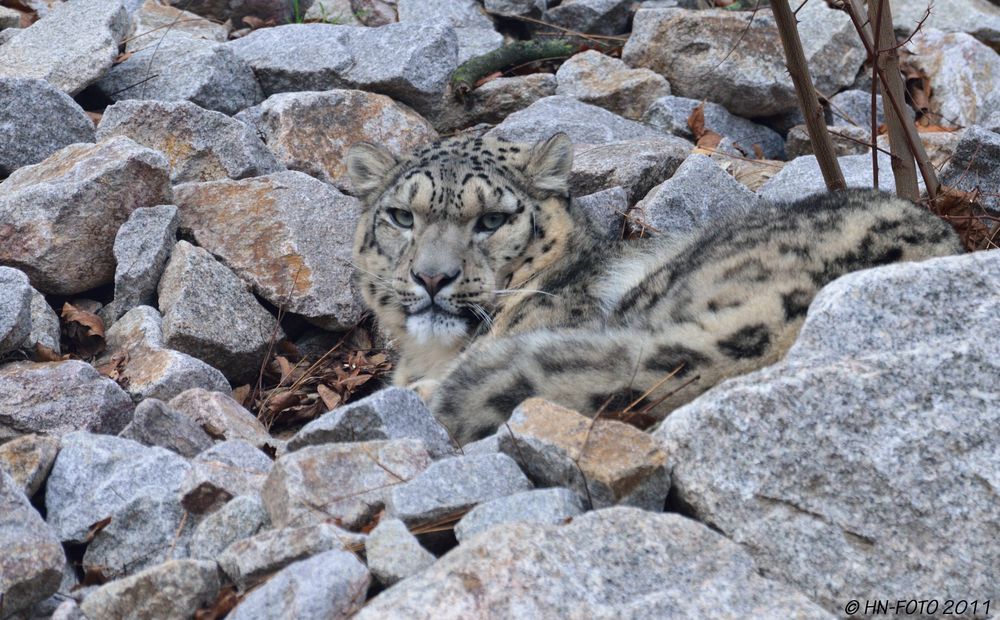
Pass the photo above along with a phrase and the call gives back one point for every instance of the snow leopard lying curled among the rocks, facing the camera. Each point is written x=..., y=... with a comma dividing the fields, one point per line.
x=495, y=288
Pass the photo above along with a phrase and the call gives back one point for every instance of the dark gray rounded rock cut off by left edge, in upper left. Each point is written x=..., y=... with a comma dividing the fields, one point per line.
x=38, y=120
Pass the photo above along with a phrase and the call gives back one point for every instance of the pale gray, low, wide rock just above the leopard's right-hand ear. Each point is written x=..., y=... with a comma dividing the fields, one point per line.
x=584, y=123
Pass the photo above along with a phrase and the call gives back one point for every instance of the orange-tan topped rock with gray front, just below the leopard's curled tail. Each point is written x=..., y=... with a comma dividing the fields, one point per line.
x=604, y=462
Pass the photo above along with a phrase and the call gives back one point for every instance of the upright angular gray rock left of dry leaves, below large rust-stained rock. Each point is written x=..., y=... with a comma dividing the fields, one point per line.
x=209, y=314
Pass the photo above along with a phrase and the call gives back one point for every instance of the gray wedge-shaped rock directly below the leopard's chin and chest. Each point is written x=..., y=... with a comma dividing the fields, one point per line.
x=392, y=413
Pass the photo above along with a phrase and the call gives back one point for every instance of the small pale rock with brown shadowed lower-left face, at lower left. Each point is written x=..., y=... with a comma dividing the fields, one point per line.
x=222, y=472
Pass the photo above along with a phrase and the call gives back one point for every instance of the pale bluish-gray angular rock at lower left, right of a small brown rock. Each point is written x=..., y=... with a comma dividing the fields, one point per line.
x=99, y=476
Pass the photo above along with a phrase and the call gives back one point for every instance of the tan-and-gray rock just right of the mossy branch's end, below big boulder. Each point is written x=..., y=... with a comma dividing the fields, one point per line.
x=609, y=83
